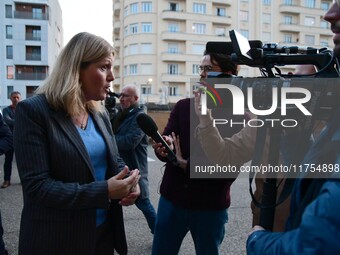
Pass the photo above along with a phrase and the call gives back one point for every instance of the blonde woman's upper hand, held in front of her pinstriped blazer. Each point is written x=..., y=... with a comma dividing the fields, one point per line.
x=120, y=185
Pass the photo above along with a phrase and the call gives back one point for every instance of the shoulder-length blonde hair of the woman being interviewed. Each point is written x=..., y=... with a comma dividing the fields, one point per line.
x=62, y=88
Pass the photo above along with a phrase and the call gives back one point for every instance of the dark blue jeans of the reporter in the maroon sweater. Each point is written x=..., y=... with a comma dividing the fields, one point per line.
x=207, y=228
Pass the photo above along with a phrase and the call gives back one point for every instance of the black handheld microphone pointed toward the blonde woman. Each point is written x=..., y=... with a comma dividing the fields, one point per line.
x=149, y=127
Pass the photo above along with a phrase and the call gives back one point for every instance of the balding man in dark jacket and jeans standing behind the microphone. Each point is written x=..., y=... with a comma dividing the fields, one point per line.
x=132, y=145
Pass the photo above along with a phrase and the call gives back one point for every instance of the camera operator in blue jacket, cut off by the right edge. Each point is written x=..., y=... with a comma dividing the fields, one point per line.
x=314, y=222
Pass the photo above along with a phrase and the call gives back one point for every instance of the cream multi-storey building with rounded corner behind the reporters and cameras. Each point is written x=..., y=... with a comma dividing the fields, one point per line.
x=159, y=43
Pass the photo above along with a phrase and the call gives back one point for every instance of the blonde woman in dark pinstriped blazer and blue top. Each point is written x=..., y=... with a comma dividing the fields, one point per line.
x=74, y=182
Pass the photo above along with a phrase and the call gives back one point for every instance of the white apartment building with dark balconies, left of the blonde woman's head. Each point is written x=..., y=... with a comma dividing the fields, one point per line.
x=31, y=39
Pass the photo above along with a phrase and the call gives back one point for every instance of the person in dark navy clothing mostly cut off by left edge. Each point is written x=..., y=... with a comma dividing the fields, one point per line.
x=6, y=144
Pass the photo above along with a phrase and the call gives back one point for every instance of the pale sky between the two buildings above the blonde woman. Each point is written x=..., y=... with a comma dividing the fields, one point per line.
x=93, y=16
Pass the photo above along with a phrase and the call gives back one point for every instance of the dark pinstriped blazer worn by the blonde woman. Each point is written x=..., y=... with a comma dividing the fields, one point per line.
x=58, y=181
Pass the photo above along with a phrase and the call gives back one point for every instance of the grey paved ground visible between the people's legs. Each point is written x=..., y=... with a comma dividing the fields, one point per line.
x=138, y=235
